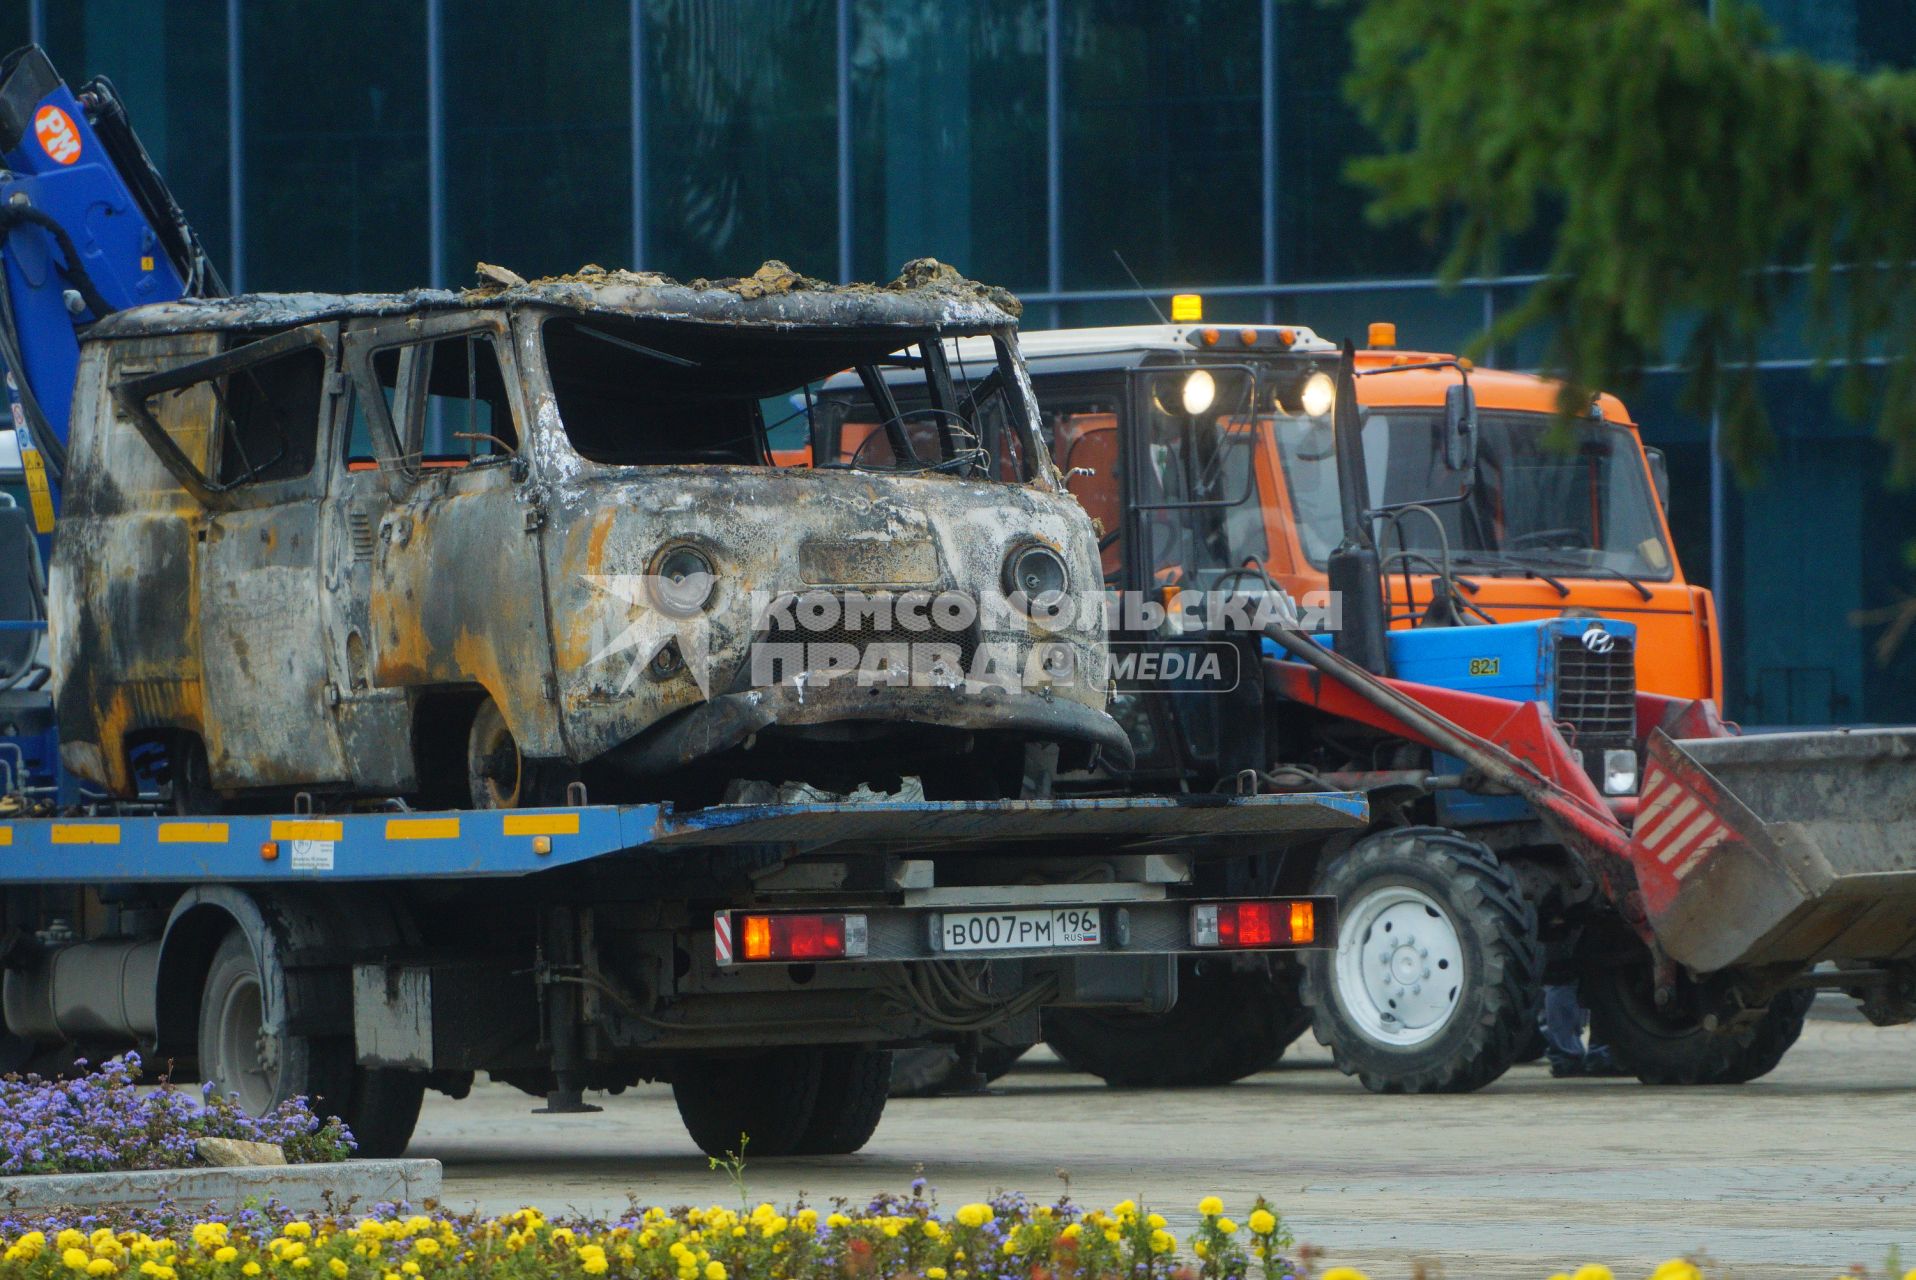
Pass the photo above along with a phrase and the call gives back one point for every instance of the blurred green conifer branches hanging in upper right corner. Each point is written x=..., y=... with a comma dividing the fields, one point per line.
x=1689, y=175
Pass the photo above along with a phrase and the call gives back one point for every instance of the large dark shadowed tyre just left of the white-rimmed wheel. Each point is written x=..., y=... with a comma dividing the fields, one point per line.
x=1223, y=1028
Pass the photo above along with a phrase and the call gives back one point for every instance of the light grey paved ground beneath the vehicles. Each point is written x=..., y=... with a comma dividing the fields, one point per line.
x=1796, y=1176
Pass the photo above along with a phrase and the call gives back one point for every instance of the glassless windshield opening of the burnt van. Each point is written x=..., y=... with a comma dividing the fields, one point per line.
x=662, y=394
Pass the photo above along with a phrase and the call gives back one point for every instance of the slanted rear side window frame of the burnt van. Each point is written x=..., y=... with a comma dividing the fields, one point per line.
x=210, y=491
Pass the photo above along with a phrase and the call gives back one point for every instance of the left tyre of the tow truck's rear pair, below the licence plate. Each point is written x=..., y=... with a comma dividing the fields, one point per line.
x=765, y=1099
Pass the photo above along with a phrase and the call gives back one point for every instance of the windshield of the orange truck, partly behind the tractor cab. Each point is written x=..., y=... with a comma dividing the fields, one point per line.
x=1572, y=501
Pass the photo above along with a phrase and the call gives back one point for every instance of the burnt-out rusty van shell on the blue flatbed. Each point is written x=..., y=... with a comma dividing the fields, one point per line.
x=329, y=608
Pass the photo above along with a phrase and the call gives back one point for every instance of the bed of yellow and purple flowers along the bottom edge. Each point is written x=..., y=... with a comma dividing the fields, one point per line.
x=890, y=1239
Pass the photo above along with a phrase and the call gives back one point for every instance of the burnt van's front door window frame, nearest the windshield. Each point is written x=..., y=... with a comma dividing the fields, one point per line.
x=401, y=453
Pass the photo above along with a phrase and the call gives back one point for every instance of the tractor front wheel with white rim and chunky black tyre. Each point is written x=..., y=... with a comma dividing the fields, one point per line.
x=1438, y=971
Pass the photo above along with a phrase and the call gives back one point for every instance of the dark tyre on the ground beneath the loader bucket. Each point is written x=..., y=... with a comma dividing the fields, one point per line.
x=1672, y=1047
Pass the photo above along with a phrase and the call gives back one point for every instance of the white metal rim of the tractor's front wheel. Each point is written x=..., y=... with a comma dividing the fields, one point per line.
x=1400, y=967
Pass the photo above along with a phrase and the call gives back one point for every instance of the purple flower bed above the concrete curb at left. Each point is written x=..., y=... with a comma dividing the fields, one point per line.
x=103, y=1122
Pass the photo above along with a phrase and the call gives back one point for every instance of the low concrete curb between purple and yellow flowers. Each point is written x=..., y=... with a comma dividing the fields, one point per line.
x=302, y=1189
